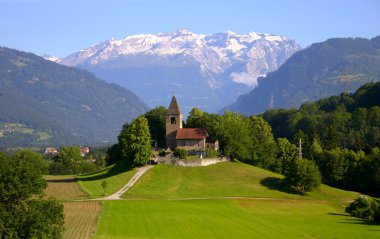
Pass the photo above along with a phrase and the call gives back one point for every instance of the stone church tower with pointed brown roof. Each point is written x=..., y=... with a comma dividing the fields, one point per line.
x=173, y=123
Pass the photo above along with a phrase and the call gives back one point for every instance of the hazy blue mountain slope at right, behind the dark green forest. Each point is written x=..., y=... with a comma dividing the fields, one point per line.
x=319, y=71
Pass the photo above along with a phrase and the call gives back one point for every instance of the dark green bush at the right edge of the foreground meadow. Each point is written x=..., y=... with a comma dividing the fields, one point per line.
x=365, y=207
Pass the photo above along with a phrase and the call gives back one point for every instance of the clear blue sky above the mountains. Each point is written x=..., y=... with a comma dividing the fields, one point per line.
x=62, y=27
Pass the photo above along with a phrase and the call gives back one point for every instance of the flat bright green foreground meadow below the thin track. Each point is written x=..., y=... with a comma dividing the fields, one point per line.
x=236, y=218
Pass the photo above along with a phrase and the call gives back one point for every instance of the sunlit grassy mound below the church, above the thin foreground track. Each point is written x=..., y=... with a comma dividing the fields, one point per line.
x=228, y=179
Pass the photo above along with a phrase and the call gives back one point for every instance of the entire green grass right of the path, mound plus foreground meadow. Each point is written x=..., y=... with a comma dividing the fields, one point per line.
x=227, y=200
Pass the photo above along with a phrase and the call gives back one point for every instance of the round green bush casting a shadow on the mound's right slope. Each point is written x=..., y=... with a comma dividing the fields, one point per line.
x=303, y=176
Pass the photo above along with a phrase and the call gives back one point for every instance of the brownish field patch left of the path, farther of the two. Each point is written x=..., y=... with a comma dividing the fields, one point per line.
x=63, y=187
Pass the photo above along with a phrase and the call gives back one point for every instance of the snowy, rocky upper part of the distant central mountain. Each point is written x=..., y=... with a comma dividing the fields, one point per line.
x=214, y=52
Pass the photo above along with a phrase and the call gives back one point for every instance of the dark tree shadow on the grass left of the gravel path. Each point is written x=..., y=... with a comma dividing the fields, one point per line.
x=118, y=168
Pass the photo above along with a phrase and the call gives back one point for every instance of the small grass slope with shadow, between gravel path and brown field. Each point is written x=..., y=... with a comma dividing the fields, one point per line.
x=116, y=176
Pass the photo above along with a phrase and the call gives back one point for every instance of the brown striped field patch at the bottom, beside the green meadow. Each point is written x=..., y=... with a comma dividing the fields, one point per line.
x=81, y=219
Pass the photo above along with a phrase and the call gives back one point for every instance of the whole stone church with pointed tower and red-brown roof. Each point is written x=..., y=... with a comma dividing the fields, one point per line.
x=191, y=139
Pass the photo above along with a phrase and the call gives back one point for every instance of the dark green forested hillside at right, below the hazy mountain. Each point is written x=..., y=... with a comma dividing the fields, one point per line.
x=341, y=134
